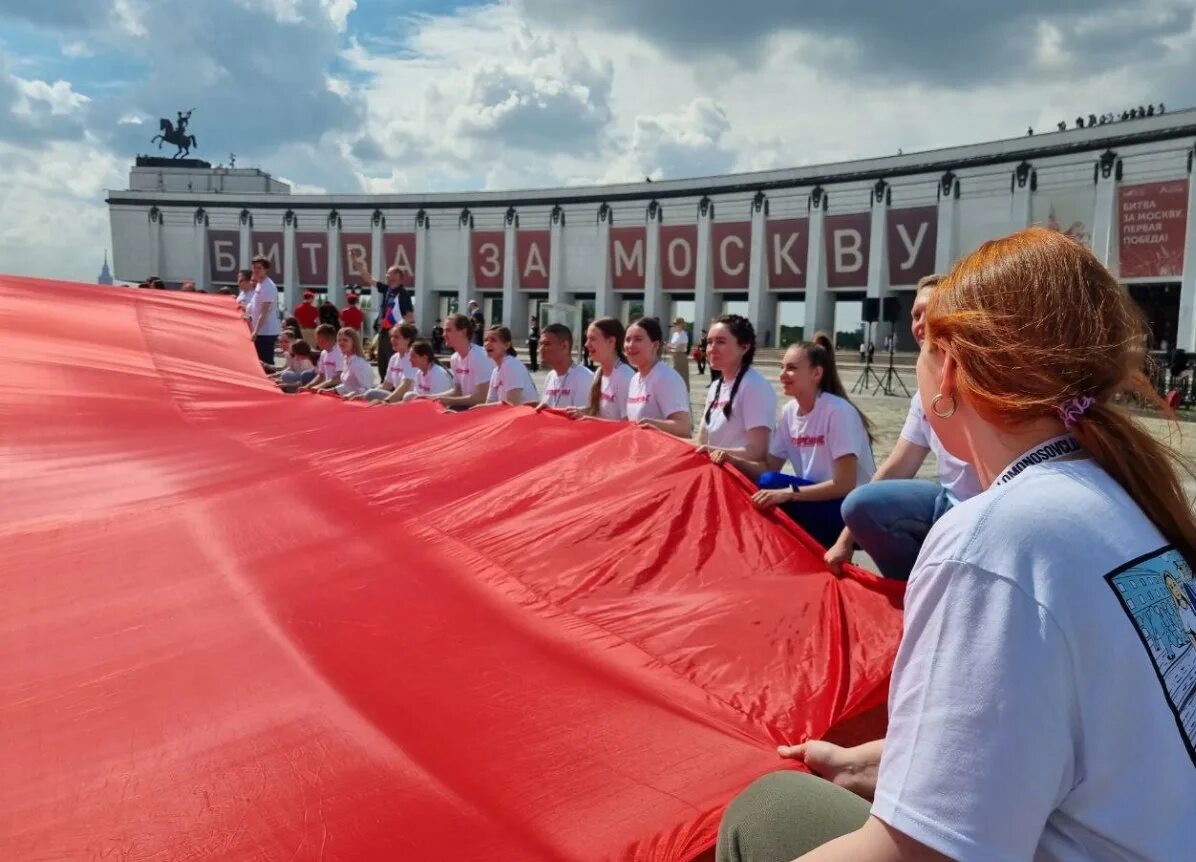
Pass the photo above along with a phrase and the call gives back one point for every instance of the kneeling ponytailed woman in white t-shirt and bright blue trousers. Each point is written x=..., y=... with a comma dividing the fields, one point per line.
x=826, y=438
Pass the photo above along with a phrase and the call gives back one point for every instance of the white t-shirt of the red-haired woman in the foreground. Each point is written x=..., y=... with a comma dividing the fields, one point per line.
x=1044, y=701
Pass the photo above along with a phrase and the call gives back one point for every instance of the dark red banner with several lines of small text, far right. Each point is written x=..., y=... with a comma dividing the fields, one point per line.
x=1152, y=227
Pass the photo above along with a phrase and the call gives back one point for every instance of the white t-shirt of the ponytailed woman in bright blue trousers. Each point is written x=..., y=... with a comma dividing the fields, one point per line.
x=813, y=443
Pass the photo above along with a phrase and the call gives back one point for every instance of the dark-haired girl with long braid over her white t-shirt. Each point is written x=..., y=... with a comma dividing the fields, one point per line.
x=741, y=406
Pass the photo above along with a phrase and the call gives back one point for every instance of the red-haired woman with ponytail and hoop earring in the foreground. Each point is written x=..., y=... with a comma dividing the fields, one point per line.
x=1033, y=714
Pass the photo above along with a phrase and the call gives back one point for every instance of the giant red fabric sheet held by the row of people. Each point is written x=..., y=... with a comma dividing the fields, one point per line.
x=228, y=633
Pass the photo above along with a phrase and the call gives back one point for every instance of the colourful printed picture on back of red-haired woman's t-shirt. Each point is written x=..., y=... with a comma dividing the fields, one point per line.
x=1160, y=595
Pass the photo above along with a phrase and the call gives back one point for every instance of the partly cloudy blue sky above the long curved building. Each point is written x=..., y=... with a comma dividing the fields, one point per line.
x=412, y=95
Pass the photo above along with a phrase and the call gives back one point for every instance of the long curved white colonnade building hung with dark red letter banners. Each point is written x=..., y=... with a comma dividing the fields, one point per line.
x=796, y=248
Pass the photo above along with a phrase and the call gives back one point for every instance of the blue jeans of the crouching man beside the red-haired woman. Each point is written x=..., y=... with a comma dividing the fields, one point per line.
x=890, y=519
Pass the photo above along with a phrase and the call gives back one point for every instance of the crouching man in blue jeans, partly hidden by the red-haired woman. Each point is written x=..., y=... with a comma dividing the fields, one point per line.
x=890, y=517
